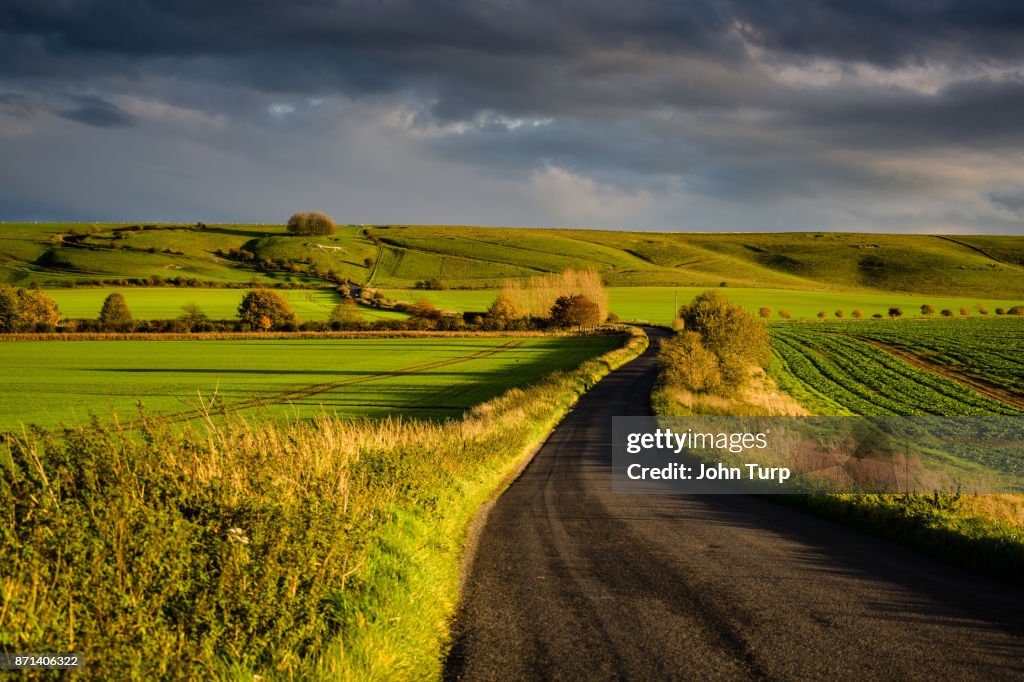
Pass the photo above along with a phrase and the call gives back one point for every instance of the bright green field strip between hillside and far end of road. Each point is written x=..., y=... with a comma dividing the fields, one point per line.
x=658, y=305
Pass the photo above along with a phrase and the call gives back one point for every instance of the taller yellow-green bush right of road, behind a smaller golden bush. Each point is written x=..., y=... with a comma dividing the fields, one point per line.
x=738, y=338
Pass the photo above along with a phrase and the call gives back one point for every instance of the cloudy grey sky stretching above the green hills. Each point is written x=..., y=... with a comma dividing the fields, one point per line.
x=662, y=115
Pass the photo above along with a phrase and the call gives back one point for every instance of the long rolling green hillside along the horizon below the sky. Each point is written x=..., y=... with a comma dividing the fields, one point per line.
x=398, y=257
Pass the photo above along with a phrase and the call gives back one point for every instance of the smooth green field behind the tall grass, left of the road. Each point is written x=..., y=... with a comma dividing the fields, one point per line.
x=52, y=382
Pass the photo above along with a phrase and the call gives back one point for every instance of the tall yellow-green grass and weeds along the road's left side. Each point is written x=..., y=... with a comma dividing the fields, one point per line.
x=325, y=549
